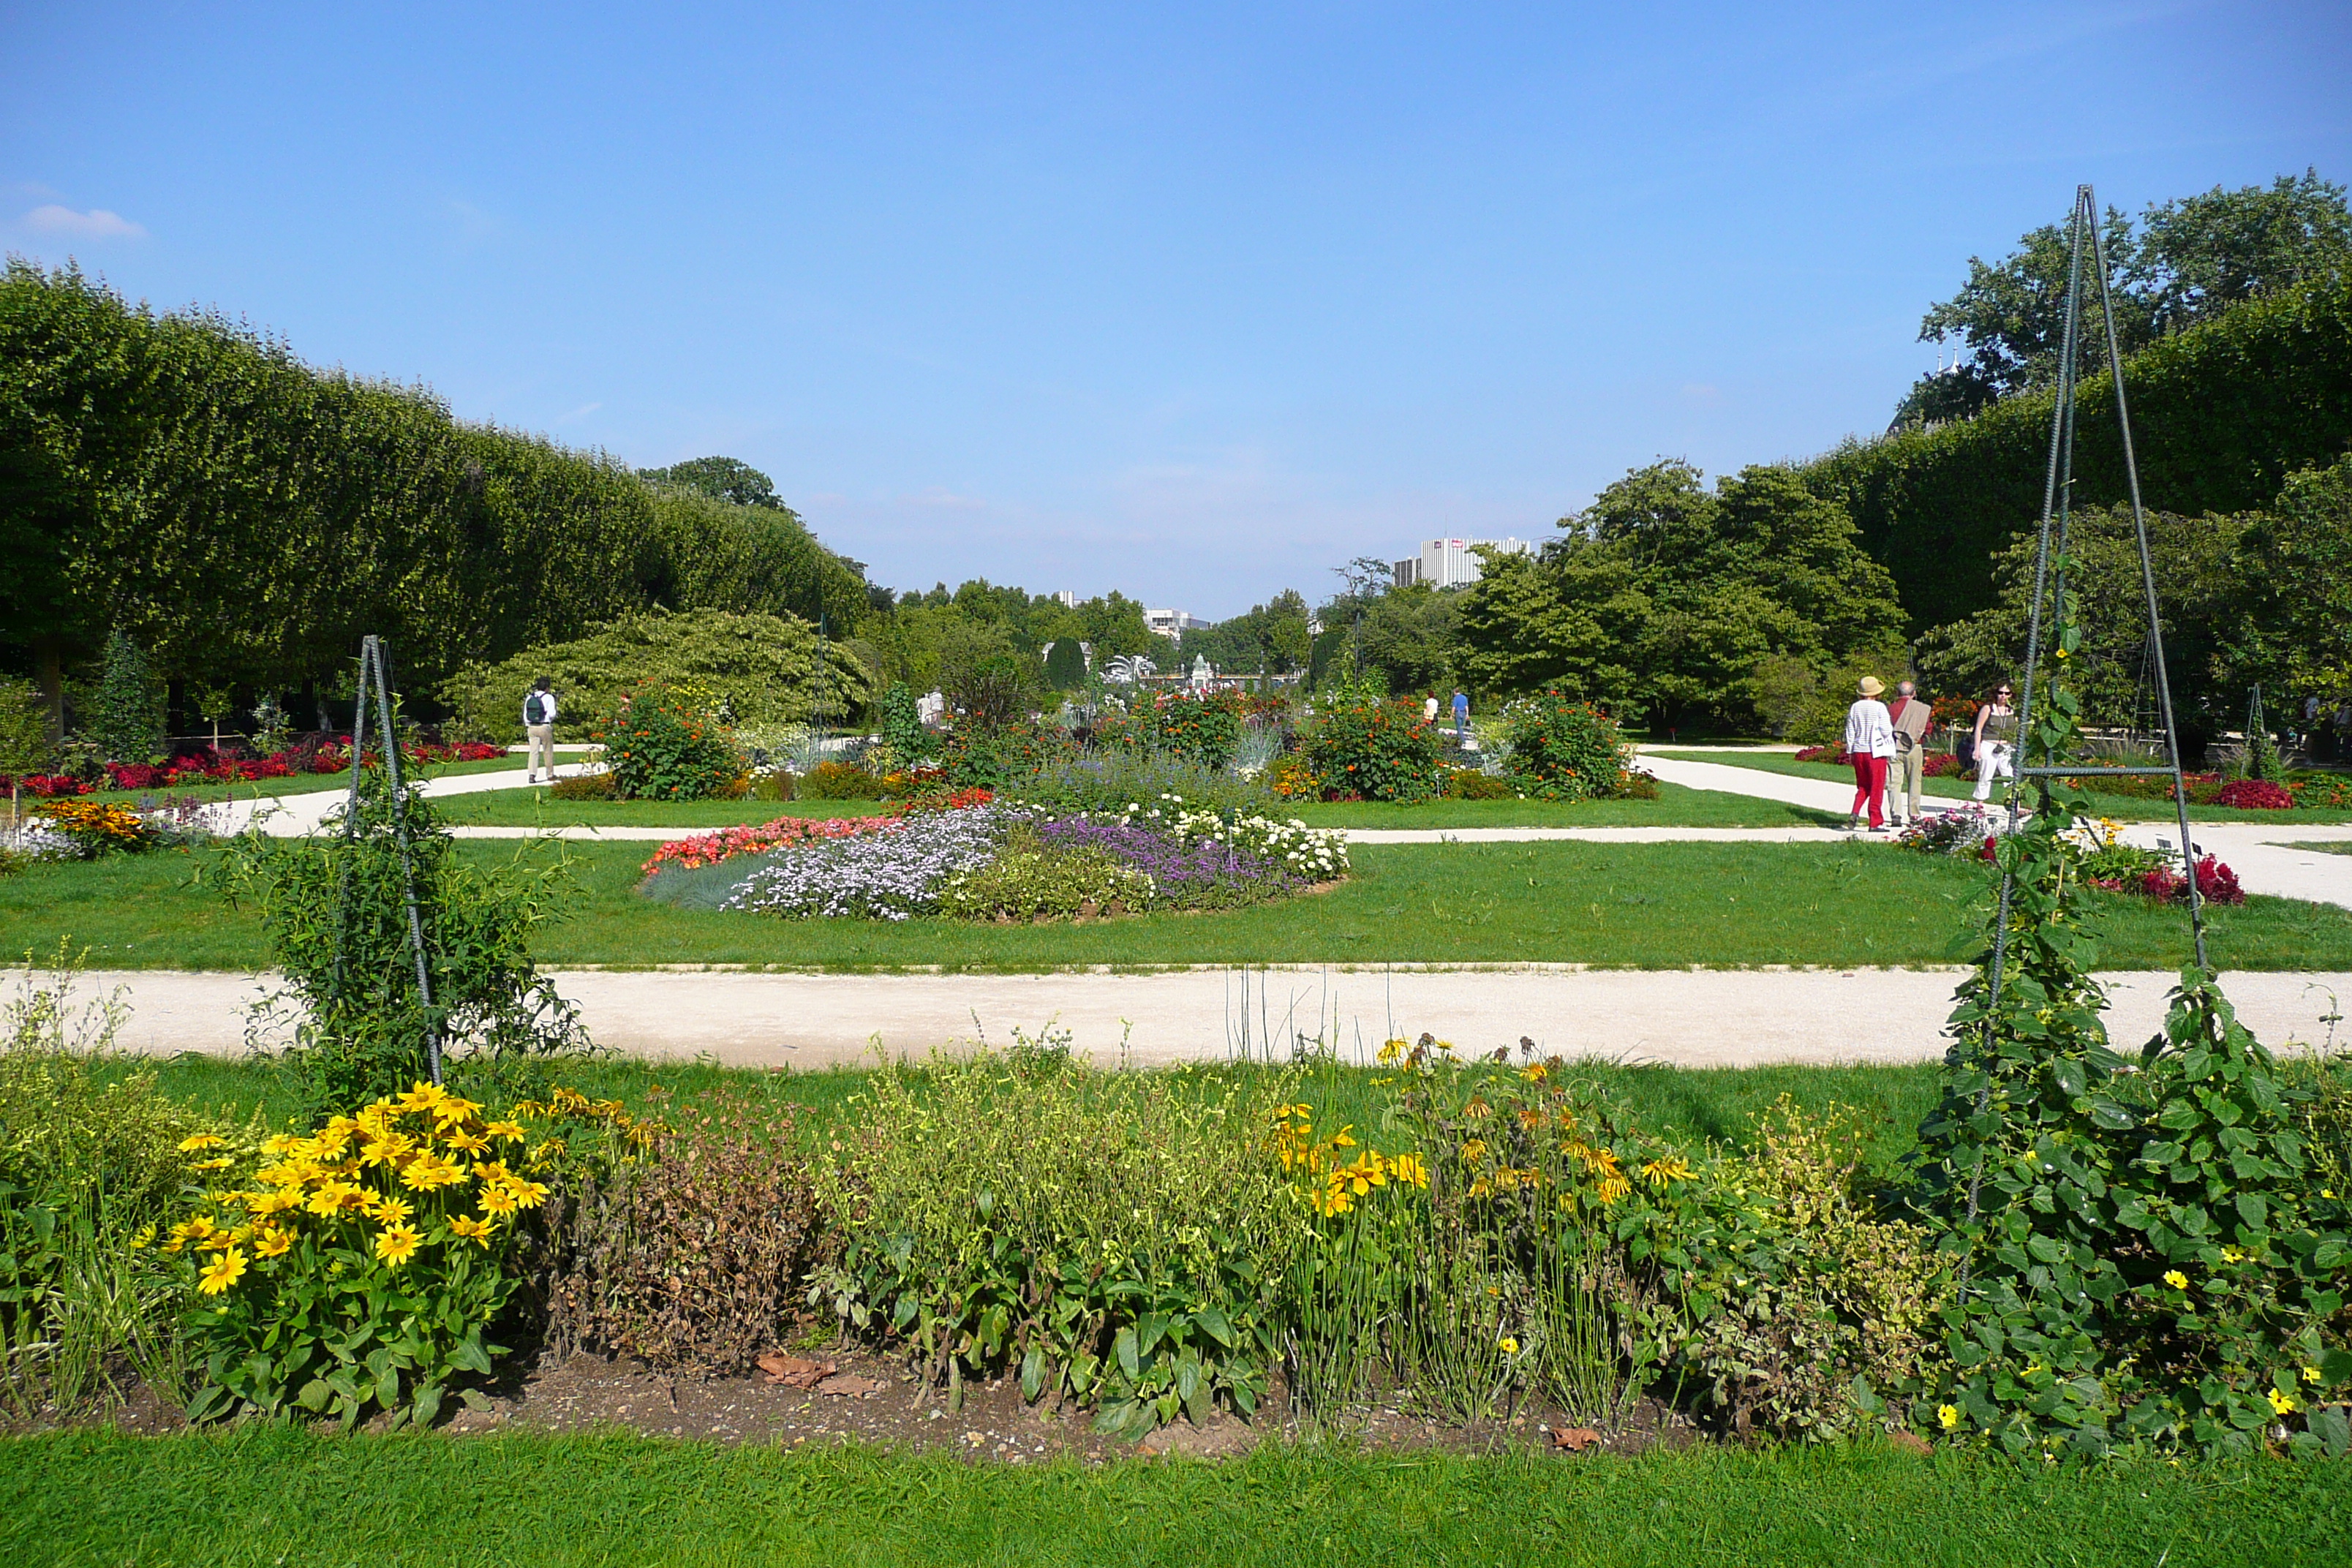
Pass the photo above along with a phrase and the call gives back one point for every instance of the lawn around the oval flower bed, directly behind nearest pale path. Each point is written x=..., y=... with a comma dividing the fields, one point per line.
x=1464, y=904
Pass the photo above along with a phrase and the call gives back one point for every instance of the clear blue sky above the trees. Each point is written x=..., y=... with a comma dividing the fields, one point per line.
x=1189, y=302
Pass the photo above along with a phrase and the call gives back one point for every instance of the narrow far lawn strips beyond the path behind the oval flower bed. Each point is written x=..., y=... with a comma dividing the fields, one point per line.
x=1676, y=808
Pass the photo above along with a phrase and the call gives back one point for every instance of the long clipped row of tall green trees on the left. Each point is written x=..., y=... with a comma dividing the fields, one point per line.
x=248, y=516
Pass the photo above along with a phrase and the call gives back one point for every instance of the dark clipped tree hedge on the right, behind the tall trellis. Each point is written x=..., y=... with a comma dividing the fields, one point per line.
x=2219, y=415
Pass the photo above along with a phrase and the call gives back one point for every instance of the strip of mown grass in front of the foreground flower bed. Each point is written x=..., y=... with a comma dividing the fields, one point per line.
x=286, y=1496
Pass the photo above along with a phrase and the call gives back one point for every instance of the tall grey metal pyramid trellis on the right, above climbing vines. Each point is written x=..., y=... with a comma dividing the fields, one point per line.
x=2050, y=579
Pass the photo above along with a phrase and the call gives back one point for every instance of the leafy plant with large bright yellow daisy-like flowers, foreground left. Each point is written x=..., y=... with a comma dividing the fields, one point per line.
x=366, y=1266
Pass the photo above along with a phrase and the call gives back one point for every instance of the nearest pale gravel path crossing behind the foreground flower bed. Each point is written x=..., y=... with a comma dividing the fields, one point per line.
x=1690, y=1019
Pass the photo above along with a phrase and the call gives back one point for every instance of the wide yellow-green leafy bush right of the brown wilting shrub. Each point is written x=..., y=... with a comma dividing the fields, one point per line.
x=1104, y=1235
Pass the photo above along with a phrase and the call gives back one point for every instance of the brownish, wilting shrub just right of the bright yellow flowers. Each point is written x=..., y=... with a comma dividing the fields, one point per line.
x=693, y=1254
